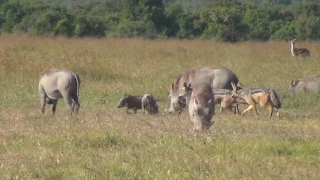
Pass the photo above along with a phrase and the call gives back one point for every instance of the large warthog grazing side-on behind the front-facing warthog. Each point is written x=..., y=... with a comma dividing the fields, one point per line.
x=218, y=78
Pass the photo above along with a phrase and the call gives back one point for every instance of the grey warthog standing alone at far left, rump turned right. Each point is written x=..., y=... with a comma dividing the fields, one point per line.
x=55, y=84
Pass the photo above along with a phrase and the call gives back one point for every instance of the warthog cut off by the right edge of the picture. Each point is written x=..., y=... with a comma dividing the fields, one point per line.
x=309, y=84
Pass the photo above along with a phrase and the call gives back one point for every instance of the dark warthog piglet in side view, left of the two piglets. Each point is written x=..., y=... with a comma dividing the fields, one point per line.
x=131, y=102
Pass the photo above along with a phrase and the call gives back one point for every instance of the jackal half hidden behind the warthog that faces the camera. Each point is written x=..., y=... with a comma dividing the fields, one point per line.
x=223, y=97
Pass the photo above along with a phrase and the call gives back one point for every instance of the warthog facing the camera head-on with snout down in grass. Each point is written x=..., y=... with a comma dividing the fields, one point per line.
x=201, y=106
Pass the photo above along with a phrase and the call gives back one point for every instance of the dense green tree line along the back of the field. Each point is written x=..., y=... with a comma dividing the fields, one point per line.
x=229, y=21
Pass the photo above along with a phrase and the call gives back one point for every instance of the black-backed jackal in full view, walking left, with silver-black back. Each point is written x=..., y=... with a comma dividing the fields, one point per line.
x=265, y=97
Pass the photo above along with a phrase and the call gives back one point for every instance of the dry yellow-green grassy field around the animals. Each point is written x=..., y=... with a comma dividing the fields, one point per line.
x=104, y=142
